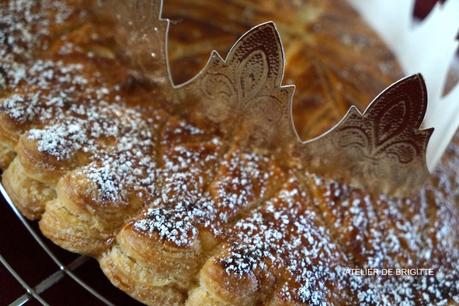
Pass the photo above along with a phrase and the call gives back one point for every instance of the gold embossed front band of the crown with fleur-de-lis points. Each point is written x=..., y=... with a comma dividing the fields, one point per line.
x=382, y=149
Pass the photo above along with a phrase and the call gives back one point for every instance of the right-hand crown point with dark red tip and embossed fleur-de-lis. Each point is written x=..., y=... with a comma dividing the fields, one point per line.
x=382, y=149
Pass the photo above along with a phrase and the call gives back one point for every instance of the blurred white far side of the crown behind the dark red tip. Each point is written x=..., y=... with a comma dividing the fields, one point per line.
x=428, y=48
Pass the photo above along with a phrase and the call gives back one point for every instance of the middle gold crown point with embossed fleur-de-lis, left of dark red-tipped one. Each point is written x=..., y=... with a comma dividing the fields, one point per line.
x=245, y=89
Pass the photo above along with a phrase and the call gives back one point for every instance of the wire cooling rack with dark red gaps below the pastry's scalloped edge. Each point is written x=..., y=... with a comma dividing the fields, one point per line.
x=33, y=271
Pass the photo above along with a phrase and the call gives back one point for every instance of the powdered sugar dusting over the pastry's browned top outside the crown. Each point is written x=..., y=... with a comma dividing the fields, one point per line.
x=304, y=236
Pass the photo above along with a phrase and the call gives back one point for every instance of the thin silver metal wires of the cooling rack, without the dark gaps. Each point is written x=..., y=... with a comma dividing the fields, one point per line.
x=62, y=269
